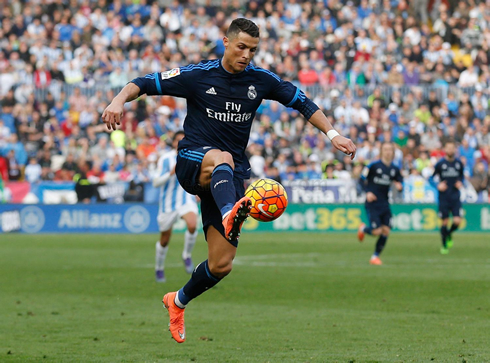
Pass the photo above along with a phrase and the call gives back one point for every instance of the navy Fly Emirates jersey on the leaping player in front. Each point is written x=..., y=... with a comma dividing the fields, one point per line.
x=221, y=106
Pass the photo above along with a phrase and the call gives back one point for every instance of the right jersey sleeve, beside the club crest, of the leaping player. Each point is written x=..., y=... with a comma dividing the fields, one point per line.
x=290, y=96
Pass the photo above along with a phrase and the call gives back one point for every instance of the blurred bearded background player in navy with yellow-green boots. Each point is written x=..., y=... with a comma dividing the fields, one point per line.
x=449, y=172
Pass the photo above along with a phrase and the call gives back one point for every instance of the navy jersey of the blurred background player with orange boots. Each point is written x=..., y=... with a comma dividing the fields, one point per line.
x=377, y=178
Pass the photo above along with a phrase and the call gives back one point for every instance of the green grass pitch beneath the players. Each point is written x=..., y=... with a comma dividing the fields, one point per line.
x=291, y=298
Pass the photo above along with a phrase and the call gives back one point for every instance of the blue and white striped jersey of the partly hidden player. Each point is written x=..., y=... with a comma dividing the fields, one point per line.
x=172, y=195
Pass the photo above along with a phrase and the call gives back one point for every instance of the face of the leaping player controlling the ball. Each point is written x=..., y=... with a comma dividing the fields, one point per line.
x=239, y=51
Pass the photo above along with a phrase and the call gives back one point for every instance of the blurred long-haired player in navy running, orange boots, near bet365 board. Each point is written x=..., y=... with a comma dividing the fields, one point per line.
x=376, y=180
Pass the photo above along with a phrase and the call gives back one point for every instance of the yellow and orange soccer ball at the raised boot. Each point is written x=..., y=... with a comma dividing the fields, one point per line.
x=269, y=199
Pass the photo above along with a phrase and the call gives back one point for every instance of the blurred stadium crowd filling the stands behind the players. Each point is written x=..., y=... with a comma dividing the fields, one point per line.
x=412, y=72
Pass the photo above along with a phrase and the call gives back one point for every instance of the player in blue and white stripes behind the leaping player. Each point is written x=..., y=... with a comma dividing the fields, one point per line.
x=174, y=203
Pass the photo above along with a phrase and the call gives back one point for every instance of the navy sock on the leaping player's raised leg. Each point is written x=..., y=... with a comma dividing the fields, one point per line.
x=222, y=187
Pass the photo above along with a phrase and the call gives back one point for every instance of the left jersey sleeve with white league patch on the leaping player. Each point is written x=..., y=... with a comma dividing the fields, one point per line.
x=170, y=83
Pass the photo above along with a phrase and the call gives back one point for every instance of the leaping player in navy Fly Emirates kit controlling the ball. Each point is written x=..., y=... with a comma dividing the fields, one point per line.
x=222, y=98
